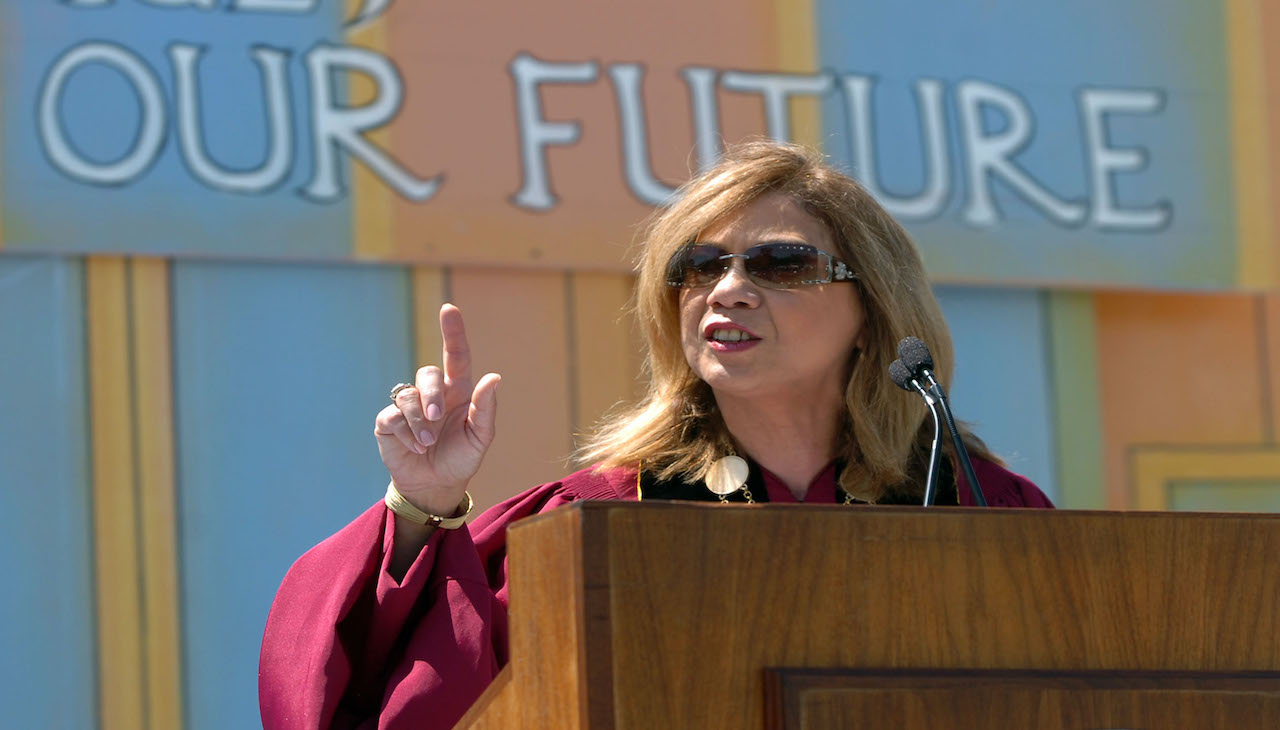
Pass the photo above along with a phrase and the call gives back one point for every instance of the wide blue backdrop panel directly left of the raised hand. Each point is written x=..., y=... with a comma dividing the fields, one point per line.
x=280, y=373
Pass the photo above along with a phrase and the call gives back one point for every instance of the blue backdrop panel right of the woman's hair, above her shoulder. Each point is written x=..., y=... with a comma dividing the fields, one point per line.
x=1002, y=384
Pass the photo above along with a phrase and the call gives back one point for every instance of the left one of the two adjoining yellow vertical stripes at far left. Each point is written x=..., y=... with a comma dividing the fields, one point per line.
x=116, y=536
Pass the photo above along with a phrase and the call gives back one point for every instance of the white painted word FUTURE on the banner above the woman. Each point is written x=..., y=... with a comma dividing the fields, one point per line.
x=991, y=156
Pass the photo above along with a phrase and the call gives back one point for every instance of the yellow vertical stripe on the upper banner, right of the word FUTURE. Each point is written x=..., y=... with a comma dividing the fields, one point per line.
x=1256, y=264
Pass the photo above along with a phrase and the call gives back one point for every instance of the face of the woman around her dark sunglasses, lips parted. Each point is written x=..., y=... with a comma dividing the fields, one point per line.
x=796, y=343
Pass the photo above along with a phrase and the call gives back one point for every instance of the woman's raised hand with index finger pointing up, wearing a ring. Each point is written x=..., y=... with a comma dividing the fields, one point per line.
x=436, y=435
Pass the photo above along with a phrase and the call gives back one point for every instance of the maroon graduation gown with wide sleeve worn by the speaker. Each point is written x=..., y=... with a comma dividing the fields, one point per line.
x=349, y=647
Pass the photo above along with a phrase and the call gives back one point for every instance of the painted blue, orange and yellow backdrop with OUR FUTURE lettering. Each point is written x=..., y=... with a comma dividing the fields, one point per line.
x=226, y=227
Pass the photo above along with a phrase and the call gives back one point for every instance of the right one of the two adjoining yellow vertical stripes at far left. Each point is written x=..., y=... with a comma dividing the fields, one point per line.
x=153, y=358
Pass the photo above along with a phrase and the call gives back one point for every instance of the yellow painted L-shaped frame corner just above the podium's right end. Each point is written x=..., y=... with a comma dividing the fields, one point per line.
x=1155, y=469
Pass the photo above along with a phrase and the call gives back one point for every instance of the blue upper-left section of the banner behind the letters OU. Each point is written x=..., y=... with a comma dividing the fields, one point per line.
x=163, y=209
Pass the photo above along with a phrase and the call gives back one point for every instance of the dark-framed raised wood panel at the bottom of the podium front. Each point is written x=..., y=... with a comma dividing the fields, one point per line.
x=810, y=700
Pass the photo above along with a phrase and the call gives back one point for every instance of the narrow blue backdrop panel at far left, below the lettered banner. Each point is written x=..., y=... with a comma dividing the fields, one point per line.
x=47, y=619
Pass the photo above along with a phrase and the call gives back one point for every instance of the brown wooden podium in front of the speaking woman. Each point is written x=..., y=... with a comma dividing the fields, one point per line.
x=675, y=615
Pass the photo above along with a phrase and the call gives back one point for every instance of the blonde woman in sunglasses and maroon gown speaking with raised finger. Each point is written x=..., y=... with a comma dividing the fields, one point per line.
x=772, y=298
